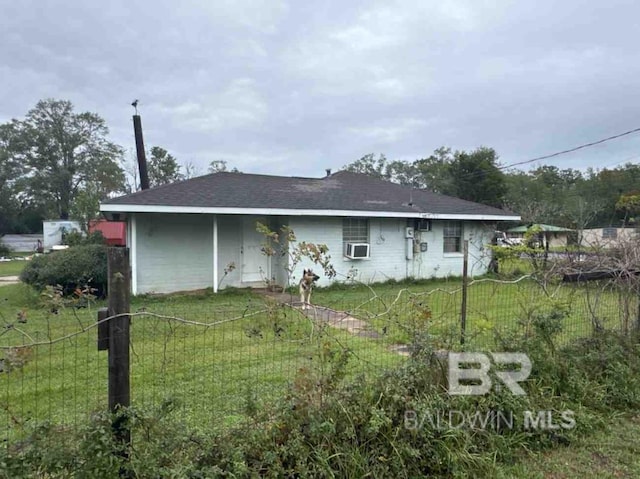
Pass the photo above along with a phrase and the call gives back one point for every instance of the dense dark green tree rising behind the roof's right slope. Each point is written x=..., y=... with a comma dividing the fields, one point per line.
x=476, y=176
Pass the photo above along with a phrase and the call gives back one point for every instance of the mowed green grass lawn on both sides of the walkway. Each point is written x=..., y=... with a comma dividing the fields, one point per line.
x=242, y=347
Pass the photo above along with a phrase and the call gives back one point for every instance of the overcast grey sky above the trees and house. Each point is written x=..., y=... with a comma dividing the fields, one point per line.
x=294, y=87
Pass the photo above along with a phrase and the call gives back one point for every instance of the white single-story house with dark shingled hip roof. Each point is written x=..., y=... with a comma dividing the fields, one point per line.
x=201, y=232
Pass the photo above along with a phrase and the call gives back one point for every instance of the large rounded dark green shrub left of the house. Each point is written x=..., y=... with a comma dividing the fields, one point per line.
x=72, y=268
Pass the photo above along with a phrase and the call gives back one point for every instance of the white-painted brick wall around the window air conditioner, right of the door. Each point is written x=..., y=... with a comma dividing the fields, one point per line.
x=388, y=250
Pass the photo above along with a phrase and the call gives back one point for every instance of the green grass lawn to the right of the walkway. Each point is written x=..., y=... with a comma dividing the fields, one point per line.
x=494, y=308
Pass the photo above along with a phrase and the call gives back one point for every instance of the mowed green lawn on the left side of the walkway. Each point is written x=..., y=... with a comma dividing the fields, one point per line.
x=242, y=348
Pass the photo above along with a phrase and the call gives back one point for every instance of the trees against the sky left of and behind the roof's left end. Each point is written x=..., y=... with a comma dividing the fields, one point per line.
x=57, y=163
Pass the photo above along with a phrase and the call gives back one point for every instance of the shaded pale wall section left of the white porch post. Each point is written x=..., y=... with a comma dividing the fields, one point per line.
x=174, y=252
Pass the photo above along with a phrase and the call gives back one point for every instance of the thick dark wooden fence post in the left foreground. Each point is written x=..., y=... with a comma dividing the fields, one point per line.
x=119, y=277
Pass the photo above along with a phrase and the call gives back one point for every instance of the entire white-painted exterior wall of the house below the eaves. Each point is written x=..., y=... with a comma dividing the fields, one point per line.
x=175, y=252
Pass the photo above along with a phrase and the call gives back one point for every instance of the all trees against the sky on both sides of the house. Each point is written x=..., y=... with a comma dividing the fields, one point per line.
x=57, y=163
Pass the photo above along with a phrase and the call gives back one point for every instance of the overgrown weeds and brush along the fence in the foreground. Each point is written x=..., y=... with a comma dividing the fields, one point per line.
x=331, y=425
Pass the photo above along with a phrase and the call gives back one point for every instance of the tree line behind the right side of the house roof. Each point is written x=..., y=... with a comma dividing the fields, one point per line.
x=546, y=194
